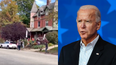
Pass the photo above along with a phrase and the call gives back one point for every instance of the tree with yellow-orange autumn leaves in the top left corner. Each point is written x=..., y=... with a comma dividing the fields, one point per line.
x=8, y=13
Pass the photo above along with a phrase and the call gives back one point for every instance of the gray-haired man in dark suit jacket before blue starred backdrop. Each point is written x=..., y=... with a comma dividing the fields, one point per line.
x=91, y=49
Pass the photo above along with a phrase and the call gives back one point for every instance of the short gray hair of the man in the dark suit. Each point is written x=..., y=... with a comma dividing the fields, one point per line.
x=97, y=12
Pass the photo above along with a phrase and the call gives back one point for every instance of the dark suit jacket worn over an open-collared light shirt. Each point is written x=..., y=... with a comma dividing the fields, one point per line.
x=107, y=54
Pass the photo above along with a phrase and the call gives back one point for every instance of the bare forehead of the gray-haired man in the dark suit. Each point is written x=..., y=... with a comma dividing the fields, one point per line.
x=86, y=12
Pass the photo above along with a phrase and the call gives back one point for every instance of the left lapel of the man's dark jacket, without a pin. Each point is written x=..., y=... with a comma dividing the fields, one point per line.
x=75, y=54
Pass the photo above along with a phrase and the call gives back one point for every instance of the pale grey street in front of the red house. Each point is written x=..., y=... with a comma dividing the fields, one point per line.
x=15, y=57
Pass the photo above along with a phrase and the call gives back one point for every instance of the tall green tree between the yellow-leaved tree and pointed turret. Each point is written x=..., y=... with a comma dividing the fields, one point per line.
x=24, y=8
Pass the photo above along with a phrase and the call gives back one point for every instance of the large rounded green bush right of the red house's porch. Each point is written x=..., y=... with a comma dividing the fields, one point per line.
x=52, y=37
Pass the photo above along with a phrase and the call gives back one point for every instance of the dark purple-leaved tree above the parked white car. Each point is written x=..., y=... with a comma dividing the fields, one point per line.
x=13, y=31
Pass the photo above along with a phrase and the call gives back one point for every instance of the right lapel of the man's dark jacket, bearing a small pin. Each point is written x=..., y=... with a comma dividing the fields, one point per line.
x=97, y=52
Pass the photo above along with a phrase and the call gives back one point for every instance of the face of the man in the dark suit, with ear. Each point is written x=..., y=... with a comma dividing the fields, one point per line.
x=86, y=23
